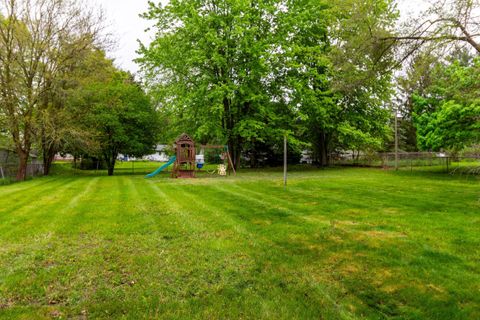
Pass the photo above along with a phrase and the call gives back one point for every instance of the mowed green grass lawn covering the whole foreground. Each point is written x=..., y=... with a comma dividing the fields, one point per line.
x=337, y=244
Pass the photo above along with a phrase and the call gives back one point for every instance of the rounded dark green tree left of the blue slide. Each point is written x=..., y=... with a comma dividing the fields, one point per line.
x=120, y=117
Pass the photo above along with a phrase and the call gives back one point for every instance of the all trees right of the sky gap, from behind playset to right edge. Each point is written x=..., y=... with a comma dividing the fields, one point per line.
x=328, y=74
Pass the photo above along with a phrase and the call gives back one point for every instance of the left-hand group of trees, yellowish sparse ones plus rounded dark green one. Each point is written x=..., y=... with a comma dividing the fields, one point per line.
x=59, y=92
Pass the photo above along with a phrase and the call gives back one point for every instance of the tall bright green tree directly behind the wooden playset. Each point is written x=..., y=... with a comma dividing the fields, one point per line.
x=208, y=64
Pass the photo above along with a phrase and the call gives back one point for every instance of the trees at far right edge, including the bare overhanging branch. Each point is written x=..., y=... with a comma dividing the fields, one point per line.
x=439, y=88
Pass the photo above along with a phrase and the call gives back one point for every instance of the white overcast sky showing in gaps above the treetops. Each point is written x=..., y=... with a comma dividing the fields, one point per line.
x=124, y=22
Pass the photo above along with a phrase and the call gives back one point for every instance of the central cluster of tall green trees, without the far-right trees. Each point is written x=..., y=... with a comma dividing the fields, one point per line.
x=248, y=72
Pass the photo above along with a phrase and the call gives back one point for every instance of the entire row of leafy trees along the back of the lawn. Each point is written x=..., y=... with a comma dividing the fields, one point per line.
x=329, y=75
